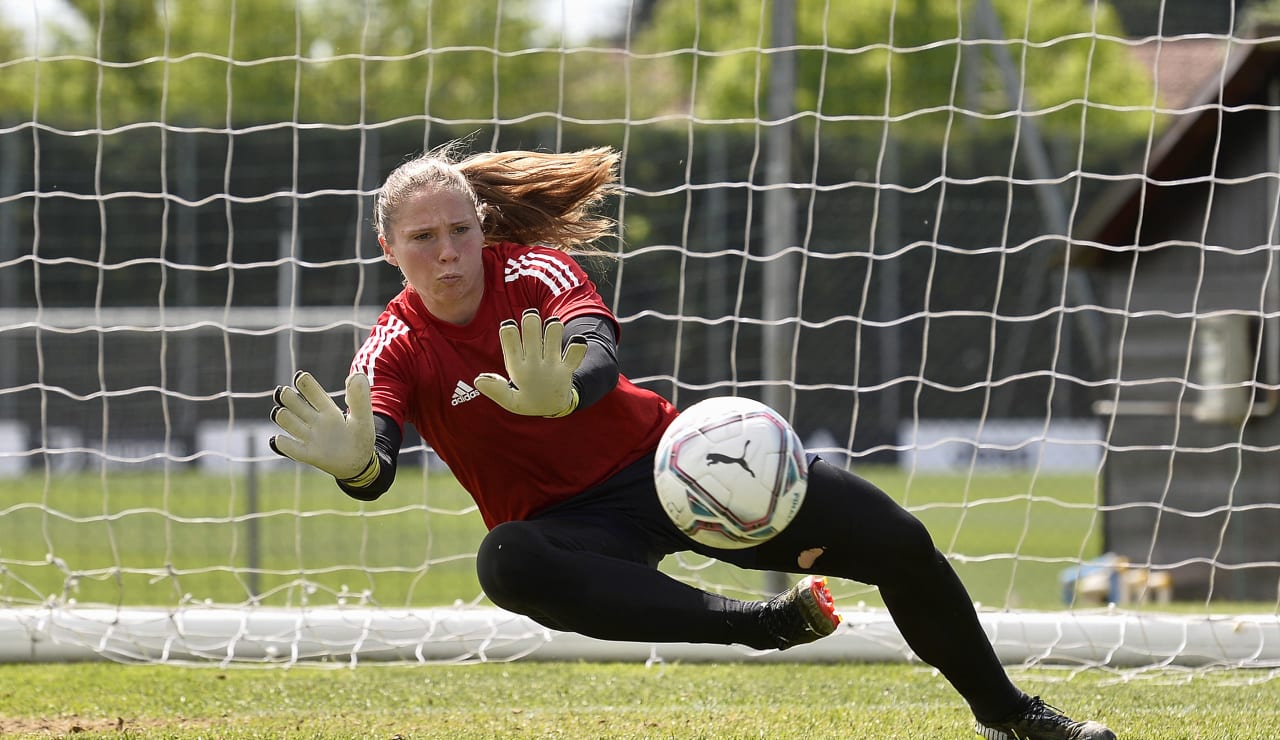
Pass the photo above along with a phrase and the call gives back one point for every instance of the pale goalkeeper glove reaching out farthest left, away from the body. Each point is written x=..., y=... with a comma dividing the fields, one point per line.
x=319, y=435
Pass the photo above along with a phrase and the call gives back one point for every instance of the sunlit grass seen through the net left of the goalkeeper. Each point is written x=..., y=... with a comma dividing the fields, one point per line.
x=158, y=540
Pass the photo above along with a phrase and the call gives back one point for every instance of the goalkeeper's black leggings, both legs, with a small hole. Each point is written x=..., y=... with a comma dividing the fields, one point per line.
x=589, y=567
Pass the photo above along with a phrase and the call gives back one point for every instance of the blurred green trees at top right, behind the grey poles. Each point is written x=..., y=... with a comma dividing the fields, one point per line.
x=917, y=62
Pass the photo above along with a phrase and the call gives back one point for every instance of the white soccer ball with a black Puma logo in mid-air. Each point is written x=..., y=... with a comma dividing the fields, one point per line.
x=732, y=473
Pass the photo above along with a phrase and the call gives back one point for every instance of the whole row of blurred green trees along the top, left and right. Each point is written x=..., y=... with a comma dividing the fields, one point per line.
x=916, y=63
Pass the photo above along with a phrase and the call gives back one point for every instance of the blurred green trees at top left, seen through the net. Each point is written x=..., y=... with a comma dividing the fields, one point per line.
x=230, y=62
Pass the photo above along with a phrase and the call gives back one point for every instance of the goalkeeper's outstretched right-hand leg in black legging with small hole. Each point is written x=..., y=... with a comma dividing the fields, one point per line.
x=848, y=528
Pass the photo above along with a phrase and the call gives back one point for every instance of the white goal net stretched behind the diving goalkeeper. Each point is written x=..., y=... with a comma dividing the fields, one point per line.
x=1013, y=261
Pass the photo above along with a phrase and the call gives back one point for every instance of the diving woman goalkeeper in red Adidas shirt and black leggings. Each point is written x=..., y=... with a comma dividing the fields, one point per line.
x=502, y=355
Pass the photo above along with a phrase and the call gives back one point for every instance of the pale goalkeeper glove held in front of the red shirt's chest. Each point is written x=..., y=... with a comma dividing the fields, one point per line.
x=542, y=374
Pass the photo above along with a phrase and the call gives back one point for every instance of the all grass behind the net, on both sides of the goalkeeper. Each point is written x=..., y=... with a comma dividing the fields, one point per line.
x=164, y=540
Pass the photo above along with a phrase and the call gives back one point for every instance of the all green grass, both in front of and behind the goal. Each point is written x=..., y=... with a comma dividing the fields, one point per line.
x=166, y=540
